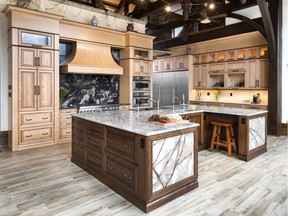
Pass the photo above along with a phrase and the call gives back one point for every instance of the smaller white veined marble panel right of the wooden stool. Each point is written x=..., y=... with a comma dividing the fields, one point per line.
x=257, y=131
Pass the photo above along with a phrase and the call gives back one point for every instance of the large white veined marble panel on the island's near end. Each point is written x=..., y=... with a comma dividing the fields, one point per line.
x=173, y=160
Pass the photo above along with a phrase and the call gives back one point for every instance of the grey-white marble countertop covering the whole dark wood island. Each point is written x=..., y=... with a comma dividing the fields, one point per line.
x=132, y=121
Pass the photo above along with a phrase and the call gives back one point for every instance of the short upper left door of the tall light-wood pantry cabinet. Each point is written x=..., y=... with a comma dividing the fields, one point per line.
x=27, y=58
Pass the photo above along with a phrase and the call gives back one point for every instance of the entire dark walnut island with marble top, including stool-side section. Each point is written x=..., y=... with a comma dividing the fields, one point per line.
x=150, y=164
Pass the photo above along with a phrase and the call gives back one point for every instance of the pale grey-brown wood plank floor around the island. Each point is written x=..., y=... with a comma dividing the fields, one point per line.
x=43, y=181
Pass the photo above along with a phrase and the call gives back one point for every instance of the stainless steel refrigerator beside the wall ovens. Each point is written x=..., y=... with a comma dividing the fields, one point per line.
x=166, y=85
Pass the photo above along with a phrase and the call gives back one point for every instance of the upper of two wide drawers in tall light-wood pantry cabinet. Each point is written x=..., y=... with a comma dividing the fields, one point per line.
x=36, y=119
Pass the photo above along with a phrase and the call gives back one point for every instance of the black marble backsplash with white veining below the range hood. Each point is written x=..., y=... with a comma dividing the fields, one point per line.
x=88, y=89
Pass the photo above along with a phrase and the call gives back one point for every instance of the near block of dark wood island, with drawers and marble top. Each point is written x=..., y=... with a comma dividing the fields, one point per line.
x=148, y=164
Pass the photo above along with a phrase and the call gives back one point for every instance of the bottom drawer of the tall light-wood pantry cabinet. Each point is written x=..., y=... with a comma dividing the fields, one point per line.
x=36, y=135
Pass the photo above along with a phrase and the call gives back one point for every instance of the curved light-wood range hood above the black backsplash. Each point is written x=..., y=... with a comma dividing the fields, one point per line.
x=91, y=58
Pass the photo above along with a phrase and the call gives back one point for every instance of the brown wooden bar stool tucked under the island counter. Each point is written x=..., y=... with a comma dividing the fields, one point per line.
x=230, y=139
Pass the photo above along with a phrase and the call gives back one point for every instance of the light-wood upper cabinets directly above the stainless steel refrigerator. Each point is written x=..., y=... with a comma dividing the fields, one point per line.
x=175, y=63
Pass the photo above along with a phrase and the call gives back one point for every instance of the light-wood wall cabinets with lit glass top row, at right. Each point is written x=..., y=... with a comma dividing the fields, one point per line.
x=242, y=68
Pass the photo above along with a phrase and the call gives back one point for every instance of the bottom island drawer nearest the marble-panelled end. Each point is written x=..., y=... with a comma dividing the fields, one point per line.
x=122, y=172
